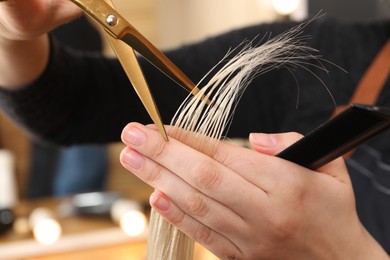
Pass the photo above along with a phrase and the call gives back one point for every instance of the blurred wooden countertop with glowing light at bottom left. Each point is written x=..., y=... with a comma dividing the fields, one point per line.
x=83, y=238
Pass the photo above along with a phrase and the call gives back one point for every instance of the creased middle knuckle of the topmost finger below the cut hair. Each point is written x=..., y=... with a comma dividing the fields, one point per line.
x=206, y=176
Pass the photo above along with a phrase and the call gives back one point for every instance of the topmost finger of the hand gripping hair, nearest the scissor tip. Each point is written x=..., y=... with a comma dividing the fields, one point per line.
x=198, y=170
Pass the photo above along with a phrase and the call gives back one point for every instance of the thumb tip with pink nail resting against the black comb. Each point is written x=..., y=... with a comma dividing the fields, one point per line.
x=273, y=143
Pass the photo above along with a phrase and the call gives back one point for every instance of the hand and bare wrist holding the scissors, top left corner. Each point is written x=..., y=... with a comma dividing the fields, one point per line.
x=24, y=45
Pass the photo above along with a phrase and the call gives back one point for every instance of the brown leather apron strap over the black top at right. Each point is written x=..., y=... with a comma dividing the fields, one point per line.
x=373, y=80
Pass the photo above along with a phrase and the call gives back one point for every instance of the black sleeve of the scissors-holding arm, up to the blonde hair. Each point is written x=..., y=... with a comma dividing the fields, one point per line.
x=83, y=97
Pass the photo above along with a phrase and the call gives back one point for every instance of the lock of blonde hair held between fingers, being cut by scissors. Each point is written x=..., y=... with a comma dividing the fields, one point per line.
x=210, y=120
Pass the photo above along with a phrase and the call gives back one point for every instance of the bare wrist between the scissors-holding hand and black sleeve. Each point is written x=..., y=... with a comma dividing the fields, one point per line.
x=22, y=62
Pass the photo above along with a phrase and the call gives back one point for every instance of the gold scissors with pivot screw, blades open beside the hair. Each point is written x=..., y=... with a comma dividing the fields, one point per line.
x=124, y=40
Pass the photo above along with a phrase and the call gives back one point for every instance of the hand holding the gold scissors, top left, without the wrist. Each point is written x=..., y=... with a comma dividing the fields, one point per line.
x=23, y=20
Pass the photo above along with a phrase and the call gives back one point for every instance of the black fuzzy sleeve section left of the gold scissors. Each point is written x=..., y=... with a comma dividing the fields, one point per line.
x=80, y=98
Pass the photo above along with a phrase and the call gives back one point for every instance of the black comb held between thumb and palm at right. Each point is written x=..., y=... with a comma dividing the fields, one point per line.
x=338, y=136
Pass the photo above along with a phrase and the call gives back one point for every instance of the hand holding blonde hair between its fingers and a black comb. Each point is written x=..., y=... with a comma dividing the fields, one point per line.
x=243, y=204
